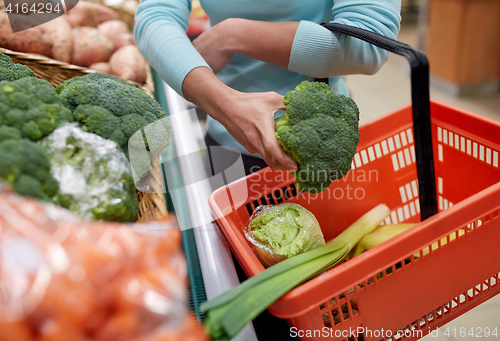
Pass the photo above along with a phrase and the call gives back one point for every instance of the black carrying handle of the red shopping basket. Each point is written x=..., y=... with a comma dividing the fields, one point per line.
x=419, y=65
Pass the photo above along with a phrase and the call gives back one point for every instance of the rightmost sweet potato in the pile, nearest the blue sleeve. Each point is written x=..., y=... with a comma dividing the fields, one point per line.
x=129, y=64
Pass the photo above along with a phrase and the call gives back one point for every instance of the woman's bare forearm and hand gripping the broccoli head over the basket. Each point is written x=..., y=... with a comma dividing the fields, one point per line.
x=248, y=117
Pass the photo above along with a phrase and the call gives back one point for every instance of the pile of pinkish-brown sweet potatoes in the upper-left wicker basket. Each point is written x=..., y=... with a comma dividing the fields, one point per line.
x=89, y=34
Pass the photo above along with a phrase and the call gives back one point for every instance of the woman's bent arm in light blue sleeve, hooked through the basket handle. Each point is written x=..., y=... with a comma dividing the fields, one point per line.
x=306, y=47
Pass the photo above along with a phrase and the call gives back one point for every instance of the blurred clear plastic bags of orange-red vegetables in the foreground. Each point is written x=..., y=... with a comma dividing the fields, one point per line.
x=64, y=278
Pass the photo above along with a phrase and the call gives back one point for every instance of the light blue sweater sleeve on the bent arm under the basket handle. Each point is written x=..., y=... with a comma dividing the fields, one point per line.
x=317, y=52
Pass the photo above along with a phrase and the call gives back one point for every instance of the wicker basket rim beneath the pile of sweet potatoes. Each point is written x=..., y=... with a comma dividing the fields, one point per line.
x=57, y=72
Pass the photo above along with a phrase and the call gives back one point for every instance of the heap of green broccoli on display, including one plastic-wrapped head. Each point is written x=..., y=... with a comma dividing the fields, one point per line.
x=82, y=166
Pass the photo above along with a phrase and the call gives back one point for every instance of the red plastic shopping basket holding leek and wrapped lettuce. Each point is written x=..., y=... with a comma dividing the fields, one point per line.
x=420, y=280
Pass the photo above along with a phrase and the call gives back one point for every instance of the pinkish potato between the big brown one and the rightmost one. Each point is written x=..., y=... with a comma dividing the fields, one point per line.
x=90, y=46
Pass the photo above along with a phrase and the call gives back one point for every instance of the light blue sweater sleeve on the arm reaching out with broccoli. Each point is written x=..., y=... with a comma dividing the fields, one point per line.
x=160, y=34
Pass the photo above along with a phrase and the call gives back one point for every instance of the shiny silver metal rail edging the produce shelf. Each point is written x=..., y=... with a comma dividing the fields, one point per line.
x=191, y=201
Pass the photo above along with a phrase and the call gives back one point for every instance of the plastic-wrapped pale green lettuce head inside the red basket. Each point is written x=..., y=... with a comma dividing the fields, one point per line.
x=282, y=231
